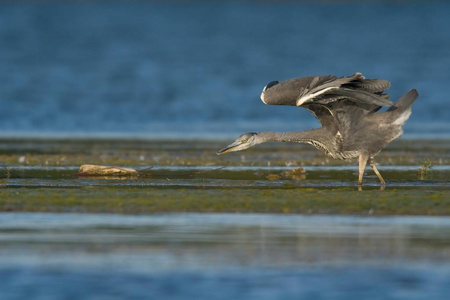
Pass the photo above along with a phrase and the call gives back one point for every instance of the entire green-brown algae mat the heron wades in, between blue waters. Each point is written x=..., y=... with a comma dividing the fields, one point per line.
x=186, y=176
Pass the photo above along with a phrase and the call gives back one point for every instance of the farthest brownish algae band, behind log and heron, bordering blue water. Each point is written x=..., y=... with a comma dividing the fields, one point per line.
x=142, y=153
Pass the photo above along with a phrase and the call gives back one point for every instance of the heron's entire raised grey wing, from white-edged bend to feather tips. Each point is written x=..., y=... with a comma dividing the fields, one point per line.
x=329, y=98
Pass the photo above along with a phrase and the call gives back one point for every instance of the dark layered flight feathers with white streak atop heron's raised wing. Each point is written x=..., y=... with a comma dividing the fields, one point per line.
x=355, y=88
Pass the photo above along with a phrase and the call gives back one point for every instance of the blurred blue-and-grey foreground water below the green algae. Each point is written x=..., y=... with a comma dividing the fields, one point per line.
x=204, y=256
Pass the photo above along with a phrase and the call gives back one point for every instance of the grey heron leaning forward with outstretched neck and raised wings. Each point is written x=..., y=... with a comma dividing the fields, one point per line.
x=347, y=108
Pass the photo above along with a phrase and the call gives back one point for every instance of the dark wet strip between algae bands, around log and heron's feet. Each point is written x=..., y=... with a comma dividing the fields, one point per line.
x=225, y=176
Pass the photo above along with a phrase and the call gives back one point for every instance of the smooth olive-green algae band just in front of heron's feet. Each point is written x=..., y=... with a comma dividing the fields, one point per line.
x=138, y=199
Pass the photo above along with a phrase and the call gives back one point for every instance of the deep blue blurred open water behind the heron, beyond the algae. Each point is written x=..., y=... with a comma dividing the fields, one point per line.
x=158, y=69
